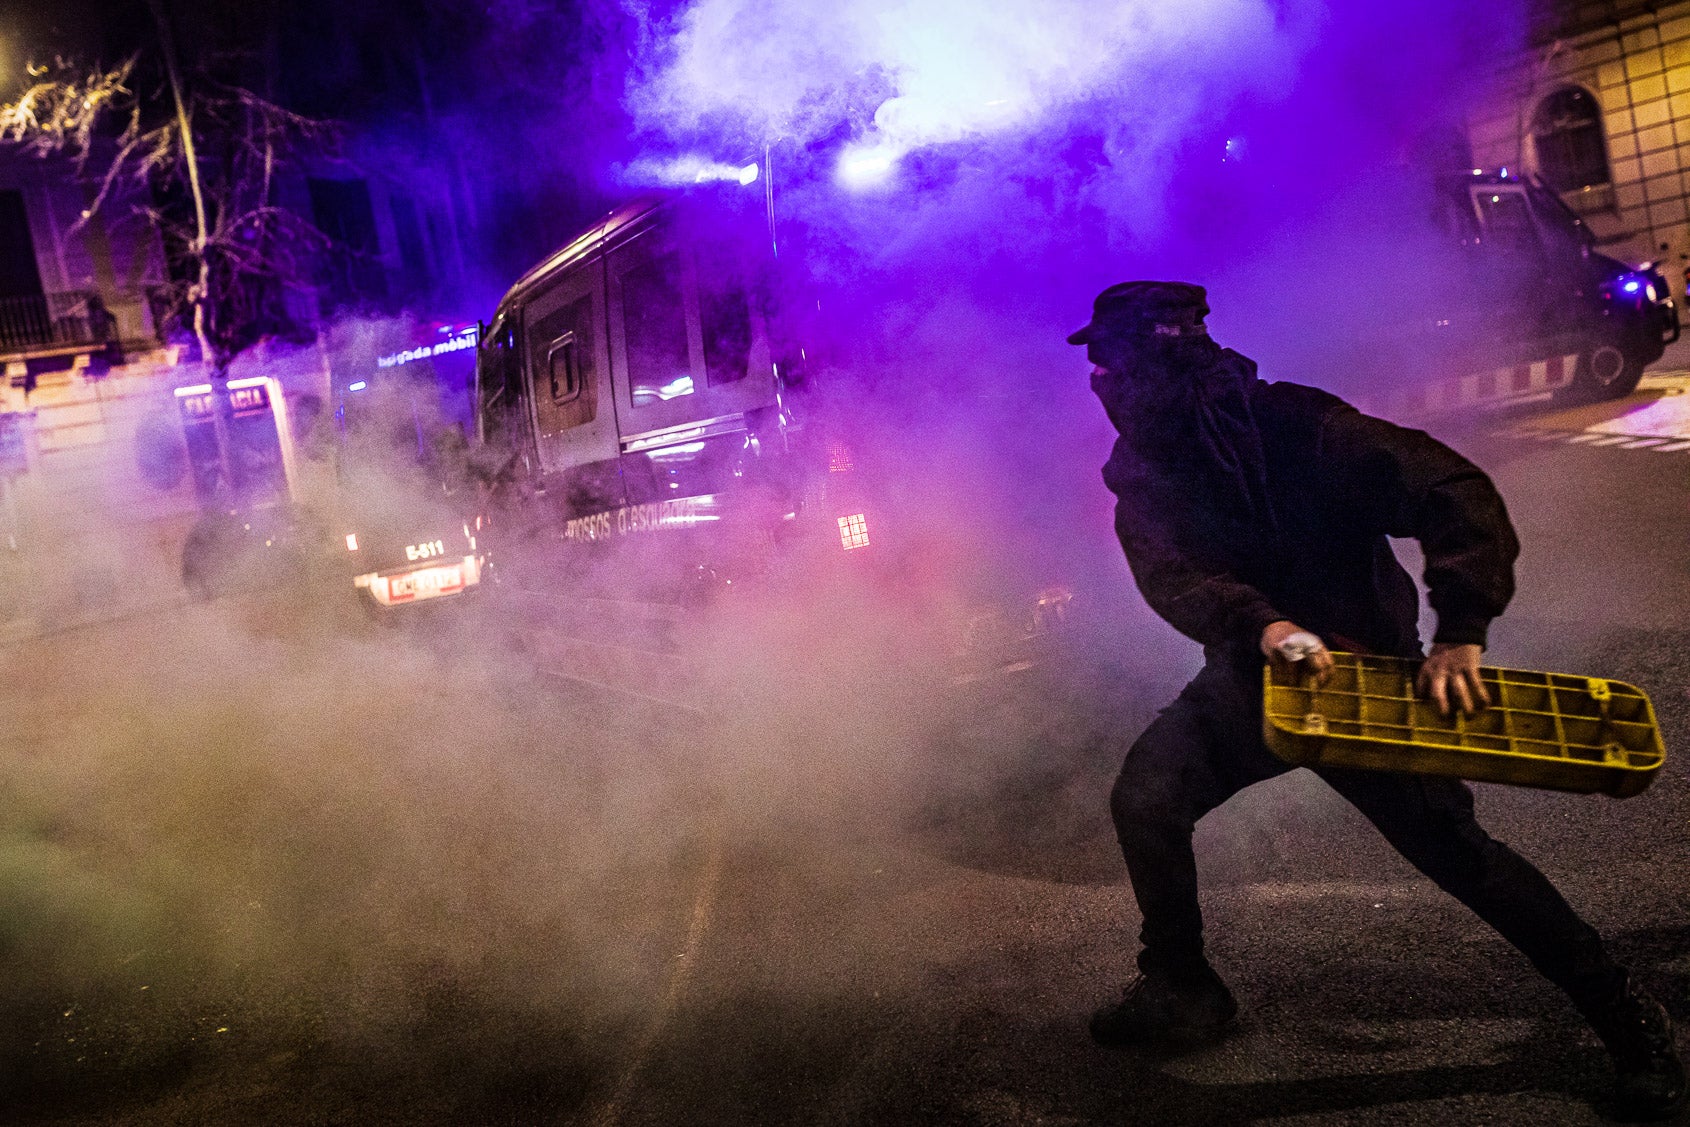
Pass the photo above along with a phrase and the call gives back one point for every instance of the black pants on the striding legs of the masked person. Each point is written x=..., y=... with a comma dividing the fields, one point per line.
x=1208, y=746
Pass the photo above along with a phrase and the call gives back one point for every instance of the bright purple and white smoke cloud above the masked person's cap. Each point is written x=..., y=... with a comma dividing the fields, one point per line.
x=1032, y=153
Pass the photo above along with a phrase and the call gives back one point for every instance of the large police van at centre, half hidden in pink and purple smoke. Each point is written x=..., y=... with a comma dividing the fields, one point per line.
x=650, y=435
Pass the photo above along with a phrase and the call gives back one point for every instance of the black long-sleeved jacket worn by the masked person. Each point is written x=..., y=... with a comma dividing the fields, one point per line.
x=1339, y=484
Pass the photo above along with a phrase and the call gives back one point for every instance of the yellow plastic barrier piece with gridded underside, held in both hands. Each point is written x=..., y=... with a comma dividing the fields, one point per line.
x=1542, y=729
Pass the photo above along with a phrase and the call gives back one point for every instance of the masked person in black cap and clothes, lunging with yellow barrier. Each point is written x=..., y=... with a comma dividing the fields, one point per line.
x=1257, y=518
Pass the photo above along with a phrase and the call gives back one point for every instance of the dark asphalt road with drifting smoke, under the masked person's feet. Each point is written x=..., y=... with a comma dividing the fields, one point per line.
x=376, y=881
